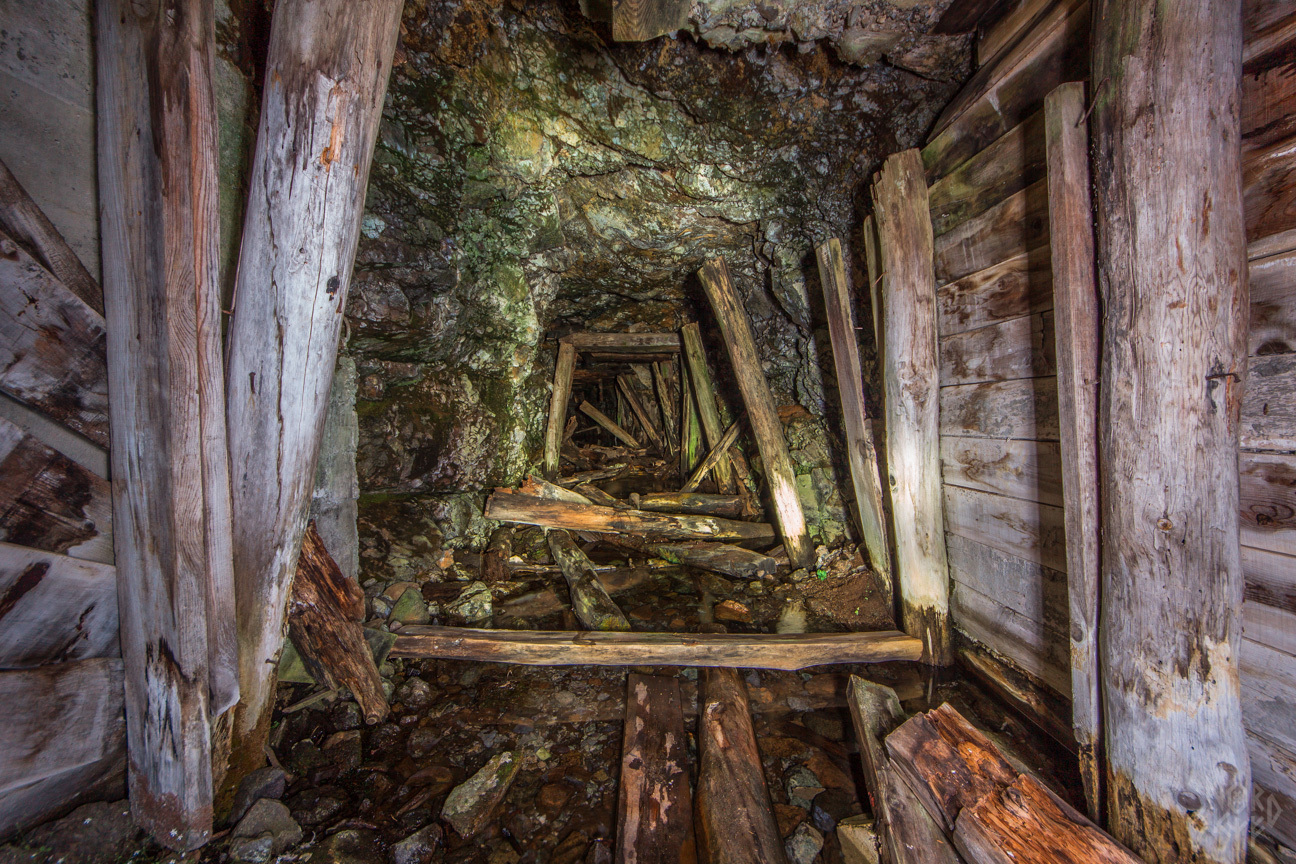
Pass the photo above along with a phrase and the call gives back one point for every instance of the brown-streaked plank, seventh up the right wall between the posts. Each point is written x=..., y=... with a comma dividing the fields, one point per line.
x=1021, y=286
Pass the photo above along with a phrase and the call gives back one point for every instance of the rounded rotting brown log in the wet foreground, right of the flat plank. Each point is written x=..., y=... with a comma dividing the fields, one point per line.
x=734, y=814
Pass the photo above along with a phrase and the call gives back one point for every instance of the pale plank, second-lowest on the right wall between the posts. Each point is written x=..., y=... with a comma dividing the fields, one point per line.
x=1026, y=587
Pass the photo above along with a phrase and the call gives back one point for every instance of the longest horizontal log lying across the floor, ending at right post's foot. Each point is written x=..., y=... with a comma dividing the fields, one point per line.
x=584, y=648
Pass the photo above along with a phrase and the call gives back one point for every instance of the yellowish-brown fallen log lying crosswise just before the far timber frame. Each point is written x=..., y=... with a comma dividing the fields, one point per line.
x=506, y=507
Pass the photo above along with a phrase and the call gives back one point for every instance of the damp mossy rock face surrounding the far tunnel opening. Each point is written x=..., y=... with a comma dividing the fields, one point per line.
x=533, y=178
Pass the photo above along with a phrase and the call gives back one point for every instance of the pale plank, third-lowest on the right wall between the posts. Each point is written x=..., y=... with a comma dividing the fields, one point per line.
x=1026, y=529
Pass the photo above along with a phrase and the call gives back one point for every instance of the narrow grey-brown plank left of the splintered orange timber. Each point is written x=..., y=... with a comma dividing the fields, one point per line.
x=907, y=832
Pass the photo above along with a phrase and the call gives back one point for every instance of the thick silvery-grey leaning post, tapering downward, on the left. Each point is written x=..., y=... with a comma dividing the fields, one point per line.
x=326, y=77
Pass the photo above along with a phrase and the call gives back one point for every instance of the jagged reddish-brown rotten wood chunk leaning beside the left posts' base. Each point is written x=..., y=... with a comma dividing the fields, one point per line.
x=325, y=617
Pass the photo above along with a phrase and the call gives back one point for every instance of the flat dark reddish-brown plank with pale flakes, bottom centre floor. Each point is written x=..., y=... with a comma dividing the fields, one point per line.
x=655, y=806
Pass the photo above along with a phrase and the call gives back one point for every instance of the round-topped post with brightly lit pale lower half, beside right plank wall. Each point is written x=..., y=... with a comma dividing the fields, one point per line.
x=912, y=388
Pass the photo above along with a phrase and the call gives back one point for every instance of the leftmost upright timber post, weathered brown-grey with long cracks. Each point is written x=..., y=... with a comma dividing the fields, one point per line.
x=157, y=170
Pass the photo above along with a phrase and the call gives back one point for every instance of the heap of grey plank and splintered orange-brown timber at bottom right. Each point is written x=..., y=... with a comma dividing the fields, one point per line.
x=944, y=793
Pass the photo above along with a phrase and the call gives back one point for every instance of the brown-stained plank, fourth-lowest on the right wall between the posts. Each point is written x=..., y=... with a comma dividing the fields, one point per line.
x=1013, y=467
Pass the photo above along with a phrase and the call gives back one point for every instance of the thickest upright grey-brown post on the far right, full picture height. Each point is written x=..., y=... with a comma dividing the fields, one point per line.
x=1172, y=274
